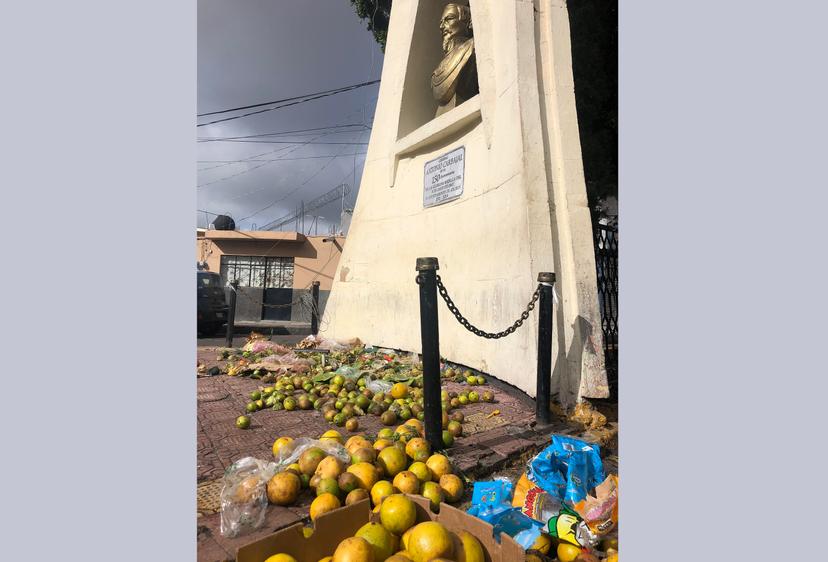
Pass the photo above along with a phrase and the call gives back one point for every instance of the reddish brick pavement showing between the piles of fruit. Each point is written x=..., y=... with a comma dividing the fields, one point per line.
x=222, y=399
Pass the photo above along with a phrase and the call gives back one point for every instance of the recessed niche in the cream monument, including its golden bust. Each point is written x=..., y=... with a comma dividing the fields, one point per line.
x=441, y=71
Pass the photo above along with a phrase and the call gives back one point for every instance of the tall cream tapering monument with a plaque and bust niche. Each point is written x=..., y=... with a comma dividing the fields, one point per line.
x=475, y=159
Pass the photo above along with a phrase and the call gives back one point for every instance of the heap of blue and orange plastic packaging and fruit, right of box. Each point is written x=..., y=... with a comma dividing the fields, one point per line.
x=562, y=508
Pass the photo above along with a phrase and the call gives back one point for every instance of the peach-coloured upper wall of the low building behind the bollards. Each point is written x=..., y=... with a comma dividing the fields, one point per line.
x=314, y=260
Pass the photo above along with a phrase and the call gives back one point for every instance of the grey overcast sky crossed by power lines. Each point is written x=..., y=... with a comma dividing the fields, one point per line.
x=254, y=51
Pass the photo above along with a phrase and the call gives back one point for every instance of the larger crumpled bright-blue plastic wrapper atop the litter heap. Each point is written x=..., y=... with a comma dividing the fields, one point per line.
x=567, y=469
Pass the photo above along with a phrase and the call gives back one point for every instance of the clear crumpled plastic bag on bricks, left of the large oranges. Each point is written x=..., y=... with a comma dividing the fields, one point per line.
x=244, y=496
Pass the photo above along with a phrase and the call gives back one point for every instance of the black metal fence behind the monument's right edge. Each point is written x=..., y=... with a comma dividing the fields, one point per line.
x=606, y=261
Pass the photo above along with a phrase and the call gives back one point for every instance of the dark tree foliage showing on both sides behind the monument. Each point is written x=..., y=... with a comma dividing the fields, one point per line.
x=594, y=37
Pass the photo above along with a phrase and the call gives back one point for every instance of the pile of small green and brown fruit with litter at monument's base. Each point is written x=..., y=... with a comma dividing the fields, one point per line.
x=348, y=382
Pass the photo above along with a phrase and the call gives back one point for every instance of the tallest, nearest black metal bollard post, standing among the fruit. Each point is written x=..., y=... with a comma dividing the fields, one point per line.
x=429, y=331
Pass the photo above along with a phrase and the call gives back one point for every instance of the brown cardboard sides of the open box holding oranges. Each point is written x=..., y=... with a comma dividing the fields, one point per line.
x=335, y=526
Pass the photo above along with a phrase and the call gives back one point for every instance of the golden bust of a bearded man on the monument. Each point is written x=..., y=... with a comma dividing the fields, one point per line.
x=455, y=78
